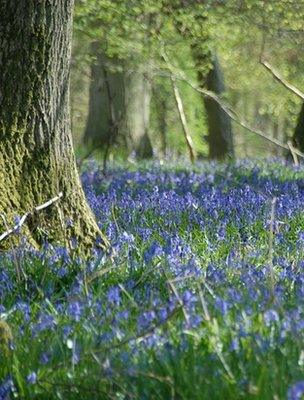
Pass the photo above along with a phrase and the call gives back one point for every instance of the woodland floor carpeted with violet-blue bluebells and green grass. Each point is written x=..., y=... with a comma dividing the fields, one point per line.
x=201, y=296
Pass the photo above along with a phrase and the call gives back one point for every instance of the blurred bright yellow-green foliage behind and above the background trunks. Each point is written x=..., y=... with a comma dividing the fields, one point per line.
x=136, y=32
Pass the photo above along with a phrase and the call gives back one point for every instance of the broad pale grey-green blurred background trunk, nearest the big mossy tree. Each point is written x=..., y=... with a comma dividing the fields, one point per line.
x=119, y=105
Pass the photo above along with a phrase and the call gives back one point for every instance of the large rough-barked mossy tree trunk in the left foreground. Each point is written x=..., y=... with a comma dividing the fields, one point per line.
x=36, y=153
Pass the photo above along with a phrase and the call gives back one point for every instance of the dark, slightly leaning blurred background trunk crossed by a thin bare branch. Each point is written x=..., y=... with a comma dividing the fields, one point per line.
x=219, y=125
